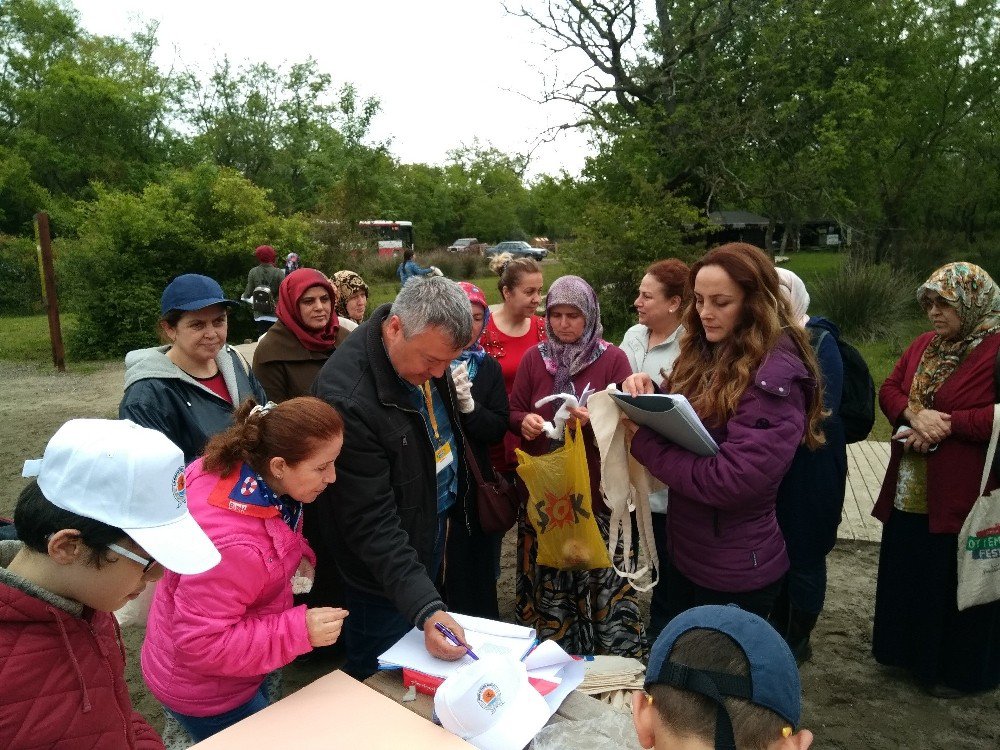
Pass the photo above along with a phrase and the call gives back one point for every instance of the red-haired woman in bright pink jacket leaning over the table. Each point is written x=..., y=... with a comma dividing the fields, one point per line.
x=213, y=638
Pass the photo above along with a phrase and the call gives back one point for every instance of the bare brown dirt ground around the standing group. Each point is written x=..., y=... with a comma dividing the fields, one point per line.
x=850, y=702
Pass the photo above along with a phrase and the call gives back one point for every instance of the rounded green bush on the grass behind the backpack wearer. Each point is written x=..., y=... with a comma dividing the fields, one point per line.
x=868, y=301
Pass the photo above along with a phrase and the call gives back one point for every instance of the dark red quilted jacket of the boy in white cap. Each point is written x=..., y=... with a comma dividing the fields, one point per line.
x=62, y=675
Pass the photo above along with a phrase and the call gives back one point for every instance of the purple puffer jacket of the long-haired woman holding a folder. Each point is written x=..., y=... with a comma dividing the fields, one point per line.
x=722, y=532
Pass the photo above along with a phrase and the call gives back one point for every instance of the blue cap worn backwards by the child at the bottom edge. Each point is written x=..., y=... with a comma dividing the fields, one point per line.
x=774, y=676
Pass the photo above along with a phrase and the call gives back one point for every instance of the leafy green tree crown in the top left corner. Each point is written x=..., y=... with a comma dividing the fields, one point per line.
x=79, y=107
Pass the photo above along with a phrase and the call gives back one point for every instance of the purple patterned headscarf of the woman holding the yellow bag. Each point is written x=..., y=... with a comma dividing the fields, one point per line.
x=563, y=361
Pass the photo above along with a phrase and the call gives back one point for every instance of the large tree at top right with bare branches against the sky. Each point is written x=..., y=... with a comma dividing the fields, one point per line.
x=811, y=109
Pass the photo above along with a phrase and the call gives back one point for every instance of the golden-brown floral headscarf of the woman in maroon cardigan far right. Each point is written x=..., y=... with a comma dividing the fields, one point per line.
x=976, y=297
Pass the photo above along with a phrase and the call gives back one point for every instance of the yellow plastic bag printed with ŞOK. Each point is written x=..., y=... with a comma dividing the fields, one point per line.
x=560, y=509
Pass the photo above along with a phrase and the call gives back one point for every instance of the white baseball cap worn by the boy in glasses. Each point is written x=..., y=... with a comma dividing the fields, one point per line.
x=130, y=477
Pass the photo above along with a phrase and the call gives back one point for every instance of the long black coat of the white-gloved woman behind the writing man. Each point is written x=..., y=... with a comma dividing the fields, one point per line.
x=469, y=576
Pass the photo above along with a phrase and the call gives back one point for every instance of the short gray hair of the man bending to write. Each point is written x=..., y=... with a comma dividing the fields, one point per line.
x=434, y=301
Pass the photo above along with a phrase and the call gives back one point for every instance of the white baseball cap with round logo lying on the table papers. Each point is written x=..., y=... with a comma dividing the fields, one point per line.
x=490, y=704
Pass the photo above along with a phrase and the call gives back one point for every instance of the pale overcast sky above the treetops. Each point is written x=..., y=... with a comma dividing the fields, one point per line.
x=445, y=71
